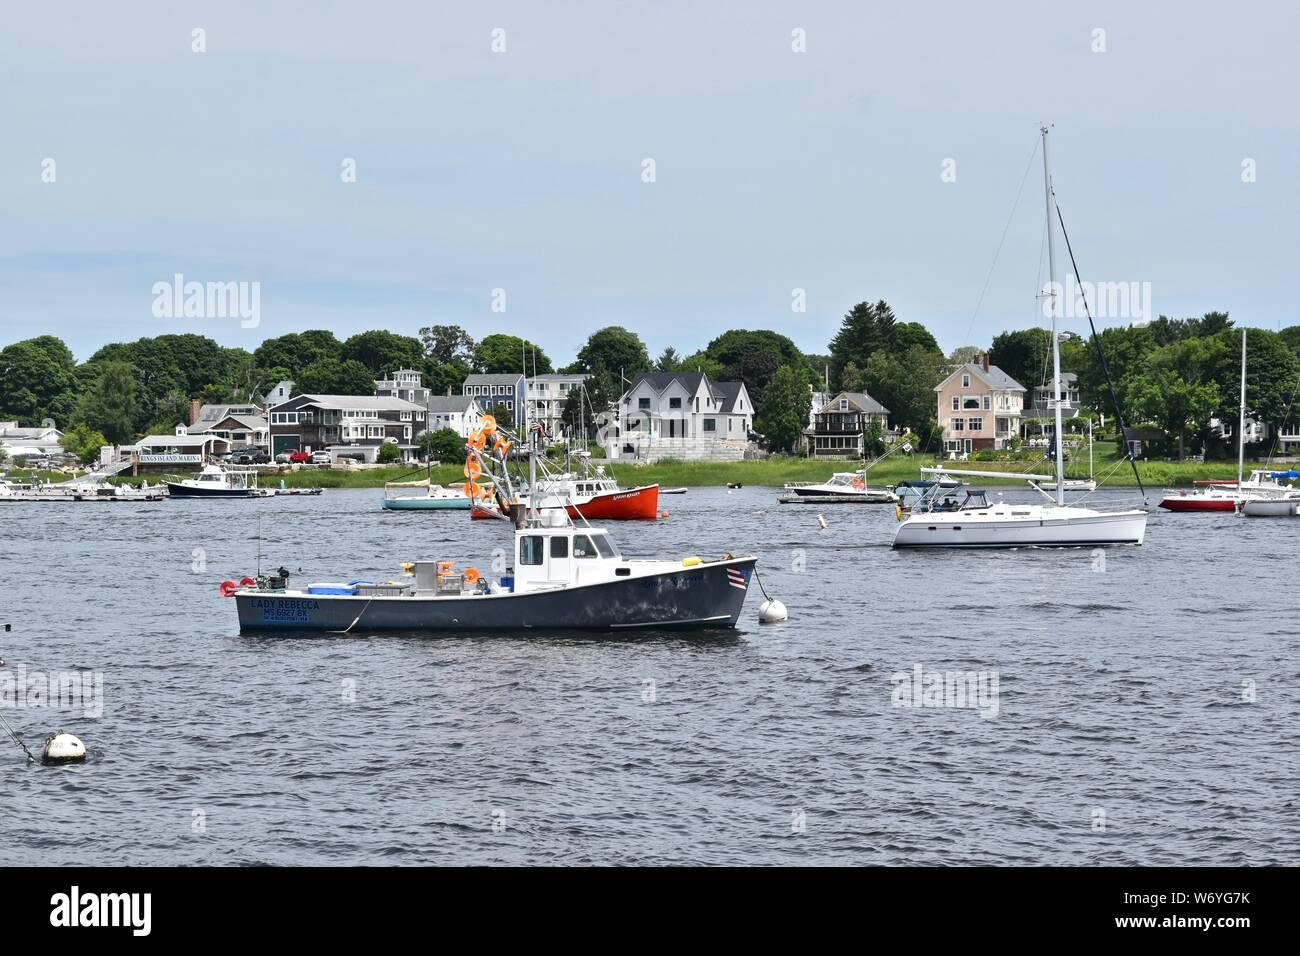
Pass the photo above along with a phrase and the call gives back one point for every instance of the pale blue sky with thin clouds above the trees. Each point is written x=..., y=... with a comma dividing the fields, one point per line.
x=523, y=170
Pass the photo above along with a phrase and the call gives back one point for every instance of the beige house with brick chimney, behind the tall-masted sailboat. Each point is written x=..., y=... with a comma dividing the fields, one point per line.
x=980, y=406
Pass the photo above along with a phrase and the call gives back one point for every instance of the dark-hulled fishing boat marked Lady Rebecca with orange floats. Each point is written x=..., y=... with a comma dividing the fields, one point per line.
x=566, y=577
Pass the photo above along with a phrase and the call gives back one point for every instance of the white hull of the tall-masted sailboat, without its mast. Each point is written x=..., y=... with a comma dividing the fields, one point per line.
x=1032, y=529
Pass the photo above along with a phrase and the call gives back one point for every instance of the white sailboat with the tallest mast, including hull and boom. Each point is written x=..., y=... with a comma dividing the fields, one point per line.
x=1019, y=526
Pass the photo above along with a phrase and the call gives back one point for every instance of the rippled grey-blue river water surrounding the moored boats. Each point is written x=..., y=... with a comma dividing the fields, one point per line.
x=1121, y=693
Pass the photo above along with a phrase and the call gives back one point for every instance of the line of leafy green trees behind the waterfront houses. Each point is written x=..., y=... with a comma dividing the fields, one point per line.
x=1173, y=374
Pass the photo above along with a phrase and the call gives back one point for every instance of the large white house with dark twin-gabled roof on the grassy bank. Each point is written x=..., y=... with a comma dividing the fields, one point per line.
x=682, y=416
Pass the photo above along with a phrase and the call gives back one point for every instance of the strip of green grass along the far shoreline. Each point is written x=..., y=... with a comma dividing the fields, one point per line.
x=768, y=473
